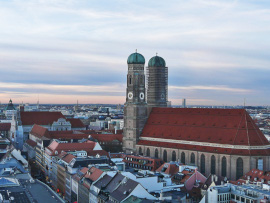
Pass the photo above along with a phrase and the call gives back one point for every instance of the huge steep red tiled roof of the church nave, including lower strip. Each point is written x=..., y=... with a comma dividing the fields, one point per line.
x=222, y=126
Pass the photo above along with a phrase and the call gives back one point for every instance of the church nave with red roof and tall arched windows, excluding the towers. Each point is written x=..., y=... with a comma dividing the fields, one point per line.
x=225, y=142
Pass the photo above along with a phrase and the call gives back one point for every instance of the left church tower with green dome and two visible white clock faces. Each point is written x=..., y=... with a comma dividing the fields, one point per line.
x=135, y=108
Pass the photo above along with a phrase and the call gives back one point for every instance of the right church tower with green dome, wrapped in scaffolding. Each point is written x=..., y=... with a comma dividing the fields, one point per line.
x=157, y=83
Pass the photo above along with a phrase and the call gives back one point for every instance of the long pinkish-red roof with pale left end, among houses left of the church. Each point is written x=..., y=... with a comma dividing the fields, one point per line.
x=59, y=147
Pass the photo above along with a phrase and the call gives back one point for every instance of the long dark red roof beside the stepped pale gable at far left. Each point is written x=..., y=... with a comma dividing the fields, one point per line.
x=40, y=118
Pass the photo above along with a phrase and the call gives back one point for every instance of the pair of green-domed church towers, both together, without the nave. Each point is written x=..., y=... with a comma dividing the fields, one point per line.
x=142, y=94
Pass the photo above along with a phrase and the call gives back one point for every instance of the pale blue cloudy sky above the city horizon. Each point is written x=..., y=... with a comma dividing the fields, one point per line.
x=61, y=51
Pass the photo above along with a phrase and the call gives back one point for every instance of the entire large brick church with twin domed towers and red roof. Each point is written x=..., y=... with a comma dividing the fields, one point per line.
x=225, y=142
